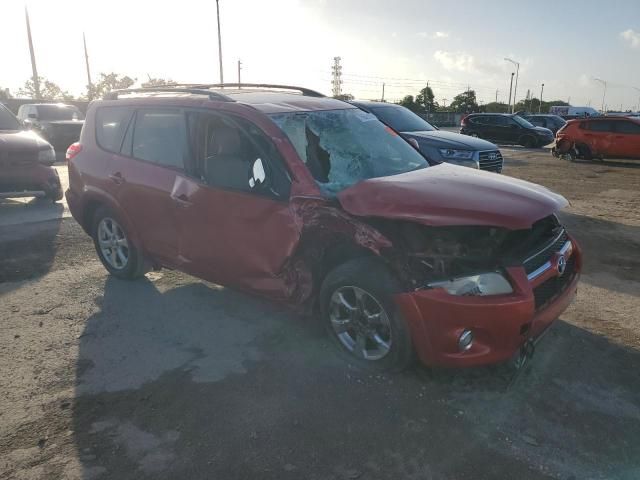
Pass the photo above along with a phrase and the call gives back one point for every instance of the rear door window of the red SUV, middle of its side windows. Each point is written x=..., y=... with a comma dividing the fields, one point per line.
x=160, y=137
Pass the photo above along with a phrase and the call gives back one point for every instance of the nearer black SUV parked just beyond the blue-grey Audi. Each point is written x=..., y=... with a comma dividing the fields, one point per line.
x=503, y=128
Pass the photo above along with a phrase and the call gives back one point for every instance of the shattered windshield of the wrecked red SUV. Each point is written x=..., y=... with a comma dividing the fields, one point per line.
x=344, y=147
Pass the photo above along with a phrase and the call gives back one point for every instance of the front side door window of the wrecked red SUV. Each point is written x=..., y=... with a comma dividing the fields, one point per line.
x=225, y=149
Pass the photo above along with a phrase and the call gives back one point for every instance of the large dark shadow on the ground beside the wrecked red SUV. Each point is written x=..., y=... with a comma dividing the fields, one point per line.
x=177, y=378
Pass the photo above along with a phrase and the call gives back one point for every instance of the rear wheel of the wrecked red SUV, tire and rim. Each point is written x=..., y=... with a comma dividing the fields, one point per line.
x=115, y=249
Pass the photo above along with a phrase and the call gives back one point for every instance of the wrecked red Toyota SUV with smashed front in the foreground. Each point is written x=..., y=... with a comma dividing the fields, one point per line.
x=311, y=201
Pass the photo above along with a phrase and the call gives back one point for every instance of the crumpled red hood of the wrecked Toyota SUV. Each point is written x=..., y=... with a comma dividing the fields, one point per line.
x=450, y=195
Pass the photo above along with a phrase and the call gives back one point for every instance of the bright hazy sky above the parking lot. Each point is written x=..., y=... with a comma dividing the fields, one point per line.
x=402, y=43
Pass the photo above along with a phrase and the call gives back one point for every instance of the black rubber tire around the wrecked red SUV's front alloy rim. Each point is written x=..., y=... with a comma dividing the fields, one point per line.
x=373, y=277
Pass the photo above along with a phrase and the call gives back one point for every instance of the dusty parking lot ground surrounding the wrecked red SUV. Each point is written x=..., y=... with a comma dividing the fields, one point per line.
x=172, y=377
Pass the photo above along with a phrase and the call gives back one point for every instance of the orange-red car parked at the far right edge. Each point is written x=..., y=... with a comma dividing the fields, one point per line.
x=609, y=137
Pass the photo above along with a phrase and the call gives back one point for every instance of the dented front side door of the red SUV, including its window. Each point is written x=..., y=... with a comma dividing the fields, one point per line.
x=233, y=230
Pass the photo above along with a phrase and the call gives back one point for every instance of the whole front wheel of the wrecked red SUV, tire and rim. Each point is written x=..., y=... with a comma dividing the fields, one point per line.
x=361, y=317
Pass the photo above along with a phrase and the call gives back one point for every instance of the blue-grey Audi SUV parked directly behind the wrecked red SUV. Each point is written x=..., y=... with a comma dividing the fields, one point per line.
x=436, y=144
